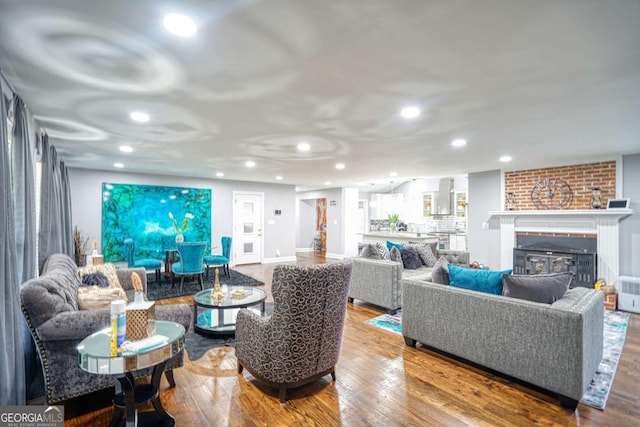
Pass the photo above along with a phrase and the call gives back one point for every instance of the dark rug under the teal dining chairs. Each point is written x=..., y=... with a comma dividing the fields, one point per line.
x=164, y=289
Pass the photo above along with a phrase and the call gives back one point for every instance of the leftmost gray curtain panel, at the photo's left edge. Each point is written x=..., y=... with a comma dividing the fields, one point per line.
x=12, y=370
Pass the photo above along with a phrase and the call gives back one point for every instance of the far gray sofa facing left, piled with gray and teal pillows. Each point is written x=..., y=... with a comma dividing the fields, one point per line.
x=379, y=282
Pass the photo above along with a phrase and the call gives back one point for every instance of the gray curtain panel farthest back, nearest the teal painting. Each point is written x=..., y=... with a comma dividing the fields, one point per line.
x=56, y=235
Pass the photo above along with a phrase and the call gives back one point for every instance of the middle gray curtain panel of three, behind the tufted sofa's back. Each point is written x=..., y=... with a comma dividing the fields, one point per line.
x=23, y=171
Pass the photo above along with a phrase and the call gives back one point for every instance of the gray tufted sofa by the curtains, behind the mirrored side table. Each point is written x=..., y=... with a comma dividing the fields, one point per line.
x=50, y=307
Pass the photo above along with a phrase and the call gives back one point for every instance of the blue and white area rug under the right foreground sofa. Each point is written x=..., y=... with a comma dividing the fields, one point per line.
x=615, y=332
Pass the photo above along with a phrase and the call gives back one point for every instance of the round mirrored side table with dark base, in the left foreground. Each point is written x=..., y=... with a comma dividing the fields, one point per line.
x=95, y=357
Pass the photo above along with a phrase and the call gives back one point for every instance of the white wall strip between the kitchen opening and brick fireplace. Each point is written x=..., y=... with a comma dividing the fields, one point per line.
x=484, y=196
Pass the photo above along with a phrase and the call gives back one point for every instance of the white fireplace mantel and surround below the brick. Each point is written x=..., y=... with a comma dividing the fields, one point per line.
x=603, y=223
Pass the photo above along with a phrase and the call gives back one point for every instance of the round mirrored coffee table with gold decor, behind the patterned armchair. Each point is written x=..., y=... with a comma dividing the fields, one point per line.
x=213, y=317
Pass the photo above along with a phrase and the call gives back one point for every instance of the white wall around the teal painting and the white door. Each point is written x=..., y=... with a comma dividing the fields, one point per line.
x=86, y=196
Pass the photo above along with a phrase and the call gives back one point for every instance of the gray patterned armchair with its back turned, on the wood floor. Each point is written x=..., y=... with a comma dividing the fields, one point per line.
x=300, y=342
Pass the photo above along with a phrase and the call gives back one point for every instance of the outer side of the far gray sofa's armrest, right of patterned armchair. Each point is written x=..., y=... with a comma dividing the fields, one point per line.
x=378, y=282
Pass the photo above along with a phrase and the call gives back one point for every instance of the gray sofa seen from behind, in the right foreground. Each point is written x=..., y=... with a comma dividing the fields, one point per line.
x=556, y=347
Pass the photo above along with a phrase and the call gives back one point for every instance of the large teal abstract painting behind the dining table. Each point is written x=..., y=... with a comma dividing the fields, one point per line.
x=144, y=213
